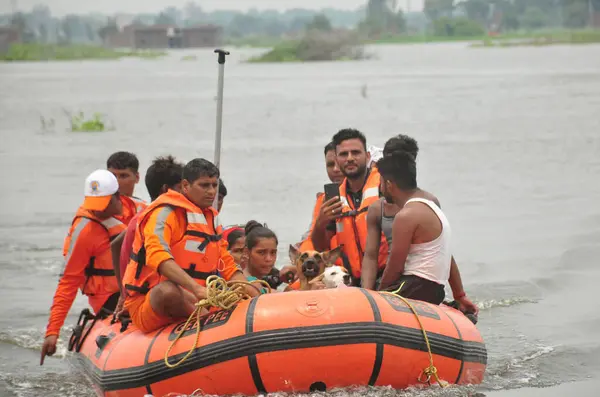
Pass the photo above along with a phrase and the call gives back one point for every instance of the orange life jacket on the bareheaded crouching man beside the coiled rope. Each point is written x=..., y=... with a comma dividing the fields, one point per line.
x=198, y=252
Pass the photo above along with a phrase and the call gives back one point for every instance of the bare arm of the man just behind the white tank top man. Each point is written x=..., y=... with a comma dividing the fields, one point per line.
x=369, y=263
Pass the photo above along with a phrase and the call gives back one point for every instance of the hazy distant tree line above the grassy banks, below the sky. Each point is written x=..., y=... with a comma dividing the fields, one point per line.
x=377, y=18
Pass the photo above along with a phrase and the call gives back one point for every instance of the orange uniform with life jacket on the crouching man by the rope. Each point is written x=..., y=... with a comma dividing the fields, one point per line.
x=172, y=227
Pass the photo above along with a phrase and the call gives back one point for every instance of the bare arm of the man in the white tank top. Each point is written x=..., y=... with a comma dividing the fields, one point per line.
x=403, y=229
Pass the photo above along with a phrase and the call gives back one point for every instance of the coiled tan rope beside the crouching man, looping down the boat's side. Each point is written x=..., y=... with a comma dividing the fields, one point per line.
x=219, y=293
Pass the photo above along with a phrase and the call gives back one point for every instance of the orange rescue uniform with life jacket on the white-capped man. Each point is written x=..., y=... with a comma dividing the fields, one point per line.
x=88, y=266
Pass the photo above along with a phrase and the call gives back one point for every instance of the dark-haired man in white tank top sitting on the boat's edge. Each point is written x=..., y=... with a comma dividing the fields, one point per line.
x=420, y=257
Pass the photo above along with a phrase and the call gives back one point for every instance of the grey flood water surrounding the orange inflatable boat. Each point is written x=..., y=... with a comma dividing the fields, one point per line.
x=510, y=143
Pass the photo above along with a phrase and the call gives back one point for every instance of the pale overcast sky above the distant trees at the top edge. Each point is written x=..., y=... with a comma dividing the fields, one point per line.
x=62, y=7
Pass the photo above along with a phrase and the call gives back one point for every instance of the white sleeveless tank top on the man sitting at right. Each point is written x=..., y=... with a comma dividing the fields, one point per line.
x=431, y=260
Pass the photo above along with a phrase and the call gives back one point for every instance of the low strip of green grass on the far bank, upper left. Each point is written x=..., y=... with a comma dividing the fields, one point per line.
x=35, y=52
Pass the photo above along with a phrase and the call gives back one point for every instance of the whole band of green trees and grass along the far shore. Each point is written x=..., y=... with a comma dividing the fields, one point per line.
x=332, y=34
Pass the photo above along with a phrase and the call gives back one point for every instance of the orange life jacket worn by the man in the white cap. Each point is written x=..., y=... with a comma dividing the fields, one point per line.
x=99, y=272
